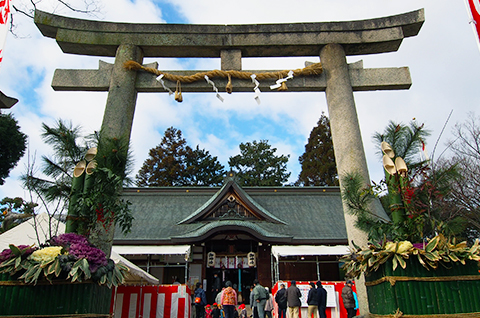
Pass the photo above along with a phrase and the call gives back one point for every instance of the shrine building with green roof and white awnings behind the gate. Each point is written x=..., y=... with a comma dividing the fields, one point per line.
x=240, y=233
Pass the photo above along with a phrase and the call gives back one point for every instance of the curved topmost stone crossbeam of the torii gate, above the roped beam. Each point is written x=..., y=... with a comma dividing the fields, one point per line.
x=96, y=38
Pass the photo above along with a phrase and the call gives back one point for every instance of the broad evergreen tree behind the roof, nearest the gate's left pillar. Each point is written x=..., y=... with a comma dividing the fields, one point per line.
x=174, y=163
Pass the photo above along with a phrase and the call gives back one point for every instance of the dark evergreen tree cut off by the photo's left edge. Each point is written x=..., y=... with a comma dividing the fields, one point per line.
x=12, y=145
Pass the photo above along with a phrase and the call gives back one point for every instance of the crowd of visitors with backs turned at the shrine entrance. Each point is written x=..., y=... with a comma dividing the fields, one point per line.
x=261, y=301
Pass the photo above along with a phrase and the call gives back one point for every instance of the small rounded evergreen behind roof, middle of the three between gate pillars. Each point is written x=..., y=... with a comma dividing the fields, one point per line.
x=257, y=165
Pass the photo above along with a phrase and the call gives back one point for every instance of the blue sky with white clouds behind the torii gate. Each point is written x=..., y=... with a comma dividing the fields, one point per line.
x=444, y=62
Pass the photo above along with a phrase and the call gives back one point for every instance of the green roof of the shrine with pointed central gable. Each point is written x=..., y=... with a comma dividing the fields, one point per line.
x=306, y=215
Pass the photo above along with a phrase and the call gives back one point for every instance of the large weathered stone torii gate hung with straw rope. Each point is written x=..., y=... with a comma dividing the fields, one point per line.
x=331, y=41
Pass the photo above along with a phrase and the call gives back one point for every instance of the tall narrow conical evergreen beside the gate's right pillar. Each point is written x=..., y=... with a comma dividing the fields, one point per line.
x=318, y=160
